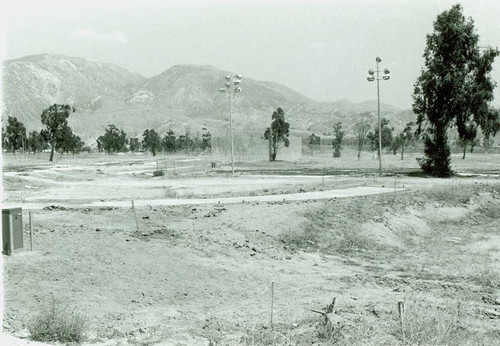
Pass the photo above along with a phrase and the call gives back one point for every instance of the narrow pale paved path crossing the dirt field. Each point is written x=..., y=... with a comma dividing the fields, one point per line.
x=313, y=195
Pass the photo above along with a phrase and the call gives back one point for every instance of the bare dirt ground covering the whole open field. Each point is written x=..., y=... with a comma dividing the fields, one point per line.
x=201, y=274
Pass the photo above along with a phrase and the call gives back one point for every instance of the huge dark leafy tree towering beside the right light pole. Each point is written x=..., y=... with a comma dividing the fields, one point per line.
x=454, y=88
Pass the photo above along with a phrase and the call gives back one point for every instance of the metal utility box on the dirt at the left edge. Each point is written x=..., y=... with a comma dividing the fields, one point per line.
x=12, y=230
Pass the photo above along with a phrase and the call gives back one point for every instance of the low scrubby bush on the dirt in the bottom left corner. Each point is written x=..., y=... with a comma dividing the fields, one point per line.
x=57, y=323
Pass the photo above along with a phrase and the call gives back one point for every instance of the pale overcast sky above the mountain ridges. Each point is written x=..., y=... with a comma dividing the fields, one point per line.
x=322, y=49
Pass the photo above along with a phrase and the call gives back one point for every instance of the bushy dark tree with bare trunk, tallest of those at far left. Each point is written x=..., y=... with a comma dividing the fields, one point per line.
x=55, y=120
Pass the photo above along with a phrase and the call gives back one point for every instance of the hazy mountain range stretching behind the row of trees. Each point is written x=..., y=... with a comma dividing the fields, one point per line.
x=184, y=96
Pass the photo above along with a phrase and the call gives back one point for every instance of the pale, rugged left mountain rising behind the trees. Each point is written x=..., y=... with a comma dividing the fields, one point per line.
x=32, y=83
